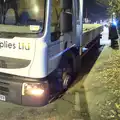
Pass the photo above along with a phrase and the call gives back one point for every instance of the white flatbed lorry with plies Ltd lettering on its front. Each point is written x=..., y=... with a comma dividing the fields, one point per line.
x=39, y=43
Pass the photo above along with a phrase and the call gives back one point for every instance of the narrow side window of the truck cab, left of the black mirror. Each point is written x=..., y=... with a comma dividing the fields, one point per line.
x=55, y=20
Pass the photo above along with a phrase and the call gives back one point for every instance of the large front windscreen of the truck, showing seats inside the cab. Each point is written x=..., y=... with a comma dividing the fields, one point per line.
x=22, y=16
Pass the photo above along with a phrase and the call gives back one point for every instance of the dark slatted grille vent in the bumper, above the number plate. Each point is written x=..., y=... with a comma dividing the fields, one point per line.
x=4, y=88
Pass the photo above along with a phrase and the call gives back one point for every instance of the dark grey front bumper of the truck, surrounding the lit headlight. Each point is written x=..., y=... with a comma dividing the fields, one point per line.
x=11, y=91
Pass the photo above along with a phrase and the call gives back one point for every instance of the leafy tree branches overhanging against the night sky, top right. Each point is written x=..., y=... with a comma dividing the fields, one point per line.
x=113, y=6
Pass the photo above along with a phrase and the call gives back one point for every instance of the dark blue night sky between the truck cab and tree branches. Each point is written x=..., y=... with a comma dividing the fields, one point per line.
x=94, y=10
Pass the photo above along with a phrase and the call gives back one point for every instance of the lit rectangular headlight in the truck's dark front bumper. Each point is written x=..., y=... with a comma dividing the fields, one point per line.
x=35, y=89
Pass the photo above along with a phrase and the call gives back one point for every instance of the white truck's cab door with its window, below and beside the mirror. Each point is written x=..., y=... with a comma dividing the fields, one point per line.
x=59, y=42
